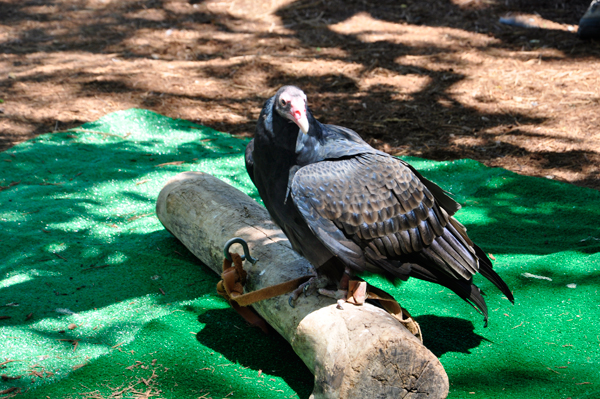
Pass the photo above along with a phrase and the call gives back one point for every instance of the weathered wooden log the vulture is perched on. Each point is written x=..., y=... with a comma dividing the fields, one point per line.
x=356, y=352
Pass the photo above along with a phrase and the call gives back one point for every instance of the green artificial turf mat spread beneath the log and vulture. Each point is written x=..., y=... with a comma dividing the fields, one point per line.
x=98, y=299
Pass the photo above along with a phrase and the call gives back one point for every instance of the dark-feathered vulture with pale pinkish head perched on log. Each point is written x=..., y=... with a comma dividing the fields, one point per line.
x=339, y=200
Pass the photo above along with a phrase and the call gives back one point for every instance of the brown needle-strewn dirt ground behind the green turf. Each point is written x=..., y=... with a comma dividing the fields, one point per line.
x=441, y=79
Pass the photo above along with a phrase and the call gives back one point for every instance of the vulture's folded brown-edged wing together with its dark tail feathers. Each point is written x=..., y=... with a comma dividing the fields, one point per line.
x=378, y=204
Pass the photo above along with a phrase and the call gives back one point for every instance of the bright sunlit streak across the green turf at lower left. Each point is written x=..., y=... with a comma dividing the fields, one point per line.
x=69, y=339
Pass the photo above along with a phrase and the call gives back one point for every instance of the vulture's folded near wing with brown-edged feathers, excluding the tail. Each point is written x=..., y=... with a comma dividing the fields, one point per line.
x=381, y=204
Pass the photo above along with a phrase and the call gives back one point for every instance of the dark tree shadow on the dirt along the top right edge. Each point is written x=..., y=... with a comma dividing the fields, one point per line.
x=477, y=17
